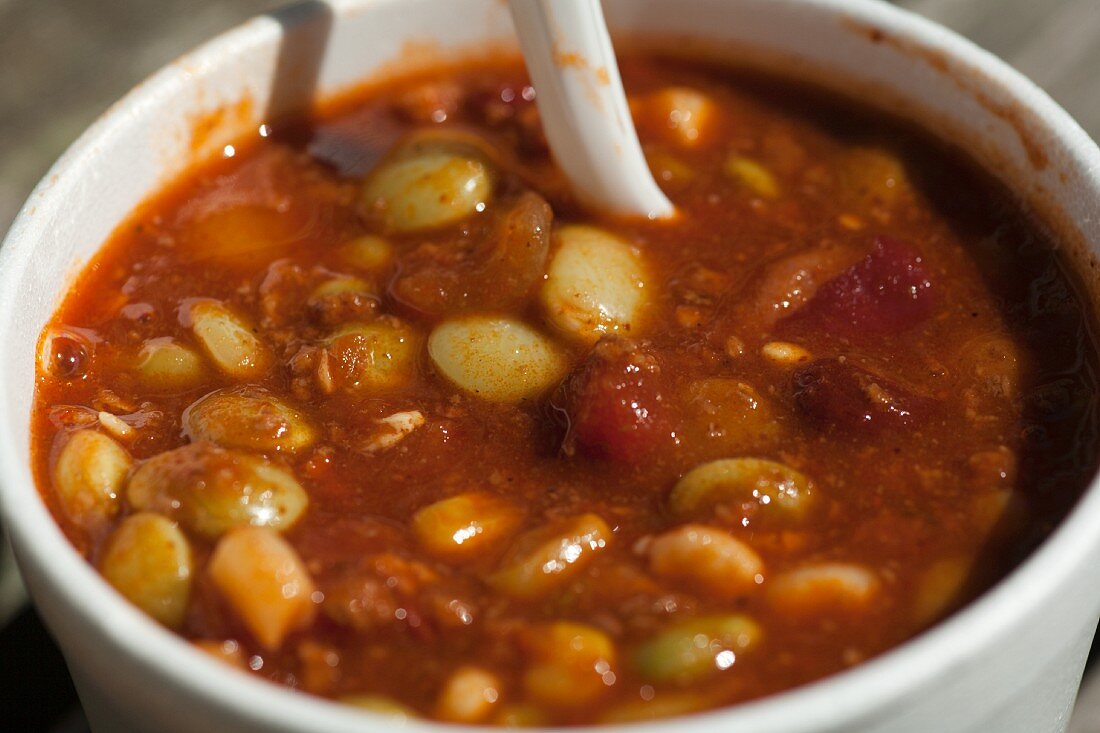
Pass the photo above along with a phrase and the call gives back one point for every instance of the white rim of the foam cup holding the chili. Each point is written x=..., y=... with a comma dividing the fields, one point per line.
x=839, y=699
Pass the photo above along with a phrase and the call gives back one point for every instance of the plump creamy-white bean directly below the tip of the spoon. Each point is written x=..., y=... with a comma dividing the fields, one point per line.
x=596, y=285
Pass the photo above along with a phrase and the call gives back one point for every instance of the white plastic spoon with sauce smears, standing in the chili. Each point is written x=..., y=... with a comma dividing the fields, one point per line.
x=580, y=95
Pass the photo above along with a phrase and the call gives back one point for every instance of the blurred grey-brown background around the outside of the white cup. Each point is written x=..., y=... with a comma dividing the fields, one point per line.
x=64, y=62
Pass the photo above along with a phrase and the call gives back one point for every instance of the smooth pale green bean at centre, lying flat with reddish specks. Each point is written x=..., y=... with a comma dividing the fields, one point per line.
x=497, y=359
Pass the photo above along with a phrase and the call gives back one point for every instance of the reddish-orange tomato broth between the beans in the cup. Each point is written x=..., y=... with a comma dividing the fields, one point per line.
x=397, y=621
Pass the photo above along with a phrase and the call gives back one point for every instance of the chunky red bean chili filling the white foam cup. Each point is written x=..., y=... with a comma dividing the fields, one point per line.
x=373, y=409
